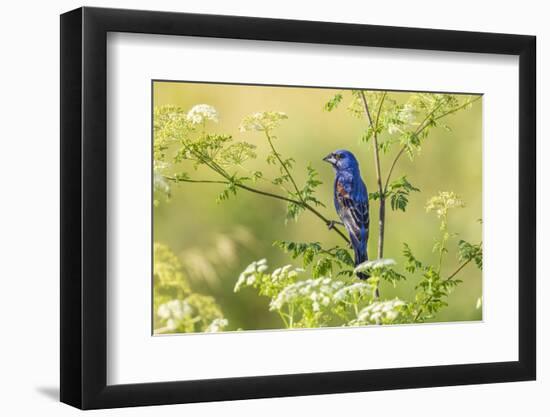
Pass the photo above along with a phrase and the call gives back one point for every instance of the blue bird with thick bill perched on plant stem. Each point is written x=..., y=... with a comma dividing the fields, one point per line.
x=351, y=201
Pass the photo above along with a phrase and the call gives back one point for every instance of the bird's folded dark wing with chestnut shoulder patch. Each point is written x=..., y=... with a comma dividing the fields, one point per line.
x=354, y=212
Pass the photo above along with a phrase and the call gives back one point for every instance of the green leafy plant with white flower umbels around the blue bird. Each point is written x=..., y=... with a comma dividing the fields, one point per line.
x=323, y=290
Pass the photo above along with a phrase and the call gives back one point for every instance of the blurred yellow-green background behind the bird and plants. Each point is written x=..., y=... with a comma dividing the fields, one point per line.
x=216, y=241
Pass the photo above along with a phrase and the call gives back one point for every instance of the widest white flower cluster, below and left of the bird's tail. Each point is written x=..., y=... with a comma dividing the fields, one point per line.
x=319, y=292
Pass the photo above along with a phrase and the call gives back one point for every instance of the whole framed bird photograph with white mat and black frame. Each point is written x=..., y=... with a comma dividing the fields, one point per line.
x=257, y=207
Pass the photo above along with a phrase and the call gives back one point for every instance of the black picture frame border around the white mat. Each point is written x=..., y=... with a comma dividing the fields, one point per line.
x=84, y=207
